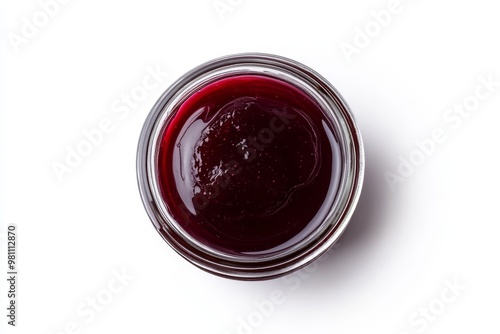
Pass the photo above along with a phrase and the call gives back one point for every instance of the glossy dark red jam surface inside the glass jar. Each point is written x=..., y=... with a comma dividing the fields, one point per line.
x=248, y=165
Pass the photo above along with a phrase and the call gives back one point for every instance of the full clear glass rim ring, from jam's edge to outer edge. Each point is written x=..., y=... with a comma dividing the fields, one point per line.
x=241, y=267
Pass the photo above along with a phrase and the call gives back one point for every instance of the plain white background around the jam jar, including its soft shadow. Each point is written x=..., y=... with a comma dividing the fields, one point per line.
x=402, y=247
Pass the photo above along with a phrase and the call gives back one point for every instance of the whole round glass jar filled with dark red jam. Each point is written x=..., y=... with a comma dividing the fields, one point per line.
x=250, y=166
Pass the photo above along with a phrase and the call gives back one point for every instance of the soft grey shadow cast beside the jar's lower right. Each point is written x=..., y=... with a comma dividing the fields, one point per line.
x=347, y=258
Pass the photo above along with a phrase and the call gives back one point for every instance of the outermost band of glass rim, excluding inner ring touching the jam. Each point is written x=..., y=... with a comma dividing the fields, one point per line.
x=263, y=270
